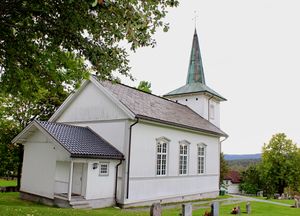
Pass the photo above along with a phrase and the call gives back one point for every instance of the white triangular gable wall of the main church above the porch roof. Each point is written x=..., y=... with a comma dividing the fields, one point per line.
x=91, y=105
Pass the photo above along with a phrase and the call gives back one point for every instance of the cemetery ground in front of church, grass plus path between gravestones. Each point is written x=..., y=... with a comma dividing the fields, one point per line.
x=11, y=205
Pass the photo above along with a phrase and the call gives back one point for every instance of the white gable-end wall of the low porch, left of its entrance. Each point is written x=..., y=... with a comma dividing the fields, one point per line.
x=39, y=163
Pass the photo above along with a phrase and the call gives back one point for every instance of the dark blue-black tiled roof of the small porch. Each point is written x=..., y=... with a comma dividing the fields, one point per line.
x=81, y=141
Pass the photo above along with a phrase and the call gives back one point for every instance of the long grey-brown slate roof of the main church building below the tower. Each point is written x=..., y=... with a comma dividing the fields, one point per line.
x=155, y=108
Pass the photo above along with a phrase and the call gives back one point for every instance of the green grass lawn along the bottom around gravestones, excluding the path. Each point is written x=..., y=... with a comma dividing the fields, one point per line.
x=11, y=205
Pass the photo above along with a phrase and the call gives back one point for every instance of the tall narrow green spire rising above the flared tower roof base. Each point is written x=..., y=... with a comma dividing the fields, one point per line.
x=196, y=73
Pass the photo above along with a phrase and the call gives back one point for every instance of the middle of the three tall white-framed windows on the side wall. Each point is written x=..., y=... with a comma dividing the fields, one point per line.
x=183, y=156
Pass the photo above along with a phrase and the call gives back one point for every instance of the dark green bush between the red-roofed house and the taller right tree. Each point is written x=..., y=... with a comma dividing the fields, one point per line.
x=250, y=180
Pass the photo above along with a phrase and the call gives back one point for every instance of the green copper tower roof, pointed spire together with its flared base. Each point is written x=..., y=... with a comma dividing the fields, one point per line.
x=195, y=82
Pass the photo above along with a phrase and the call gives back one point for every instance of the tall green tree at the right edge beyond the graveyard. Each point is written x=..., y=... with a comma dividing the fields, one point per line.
x=280, y=164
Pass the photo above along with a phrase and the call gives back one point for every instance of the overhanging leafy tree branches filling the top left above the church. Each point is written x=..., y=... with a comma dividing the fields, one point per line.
x=39, y=40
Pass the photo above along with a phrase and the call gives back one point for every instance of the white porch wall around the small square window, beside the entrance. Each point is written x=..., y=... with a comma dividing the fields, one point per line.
x=99, y=186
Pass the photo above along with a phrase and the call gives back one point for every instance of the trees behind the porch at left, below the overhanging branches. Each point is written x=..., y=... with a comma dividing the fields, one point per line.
x=15, y=114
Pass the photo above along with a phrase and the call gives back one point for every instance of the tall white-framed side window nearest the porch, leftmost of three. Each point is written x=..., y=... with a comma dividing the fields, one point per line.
x=162, y=148
